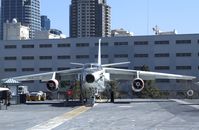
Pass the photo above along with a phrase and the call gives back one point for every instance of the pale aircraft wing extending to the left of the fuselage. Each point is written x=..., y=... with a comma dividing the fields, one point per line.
x=45, y=76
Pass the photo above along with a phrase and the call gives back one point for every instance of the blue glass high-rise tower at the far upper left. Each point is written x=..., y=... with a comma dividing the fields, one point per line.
x=27, y=12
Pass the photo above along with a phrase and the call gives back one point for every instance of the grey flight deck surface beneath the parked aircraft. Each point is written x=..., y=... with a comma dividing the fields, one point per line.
x=124, y=114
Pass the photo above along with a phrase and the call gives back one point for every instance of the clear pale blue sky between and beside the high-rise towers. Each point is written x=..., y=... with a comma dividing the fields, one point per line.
x=137, y=16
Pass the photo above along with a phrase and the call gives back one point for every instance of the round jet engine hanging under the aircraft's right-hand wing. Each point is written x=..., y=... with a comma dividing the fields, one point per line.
x=138, y=85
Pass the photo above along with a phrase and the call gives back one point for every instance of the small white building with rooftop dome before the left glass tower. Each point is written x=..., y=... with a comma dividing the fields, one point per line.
x=15, y=31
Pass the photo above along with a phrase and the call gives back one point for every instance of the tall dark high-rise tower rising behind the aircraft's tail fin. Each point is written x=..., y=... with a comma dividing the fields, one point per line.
x=90, y=18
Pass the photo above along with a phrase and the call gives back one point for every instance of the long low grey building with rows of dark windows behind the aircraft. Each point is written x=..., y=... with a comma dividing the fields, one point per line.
x=178, y=54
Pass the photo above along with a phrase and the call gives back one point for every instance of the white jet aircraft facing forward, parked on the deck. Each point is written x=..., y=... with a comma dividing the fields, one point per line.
x=93, y=77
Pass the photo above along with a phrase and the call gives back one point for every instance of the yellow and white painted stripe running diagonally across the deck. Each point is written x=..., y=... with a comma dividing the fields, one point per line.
x=52, y=123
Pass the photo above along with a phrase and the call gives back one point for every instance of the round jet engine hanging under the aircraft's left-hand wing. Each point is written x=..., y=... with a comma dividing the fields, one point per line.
x=52, y=85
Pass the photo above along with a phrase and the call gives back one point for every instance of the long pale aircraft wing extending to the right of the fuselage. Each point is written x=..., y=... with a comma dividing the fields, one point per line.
x=126, y=74
